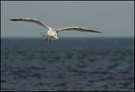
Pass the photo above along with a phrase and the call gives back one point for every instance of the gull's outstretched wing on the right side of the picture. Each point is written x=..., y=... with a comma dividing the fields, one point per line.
x=78, y=29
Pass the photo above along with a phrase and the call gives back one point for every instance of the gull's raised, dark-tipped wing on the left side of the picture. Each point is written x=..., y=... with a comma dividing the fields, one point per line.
x=31, y=20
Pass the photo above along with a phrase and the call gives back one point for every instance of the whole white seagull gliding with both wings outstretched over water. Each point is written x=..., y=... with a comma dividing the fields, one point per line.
x=52, y=33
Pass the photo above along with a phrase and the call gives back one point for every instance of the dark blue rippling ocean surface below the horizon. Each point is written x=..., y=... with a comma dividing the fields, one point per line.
x=69, y=64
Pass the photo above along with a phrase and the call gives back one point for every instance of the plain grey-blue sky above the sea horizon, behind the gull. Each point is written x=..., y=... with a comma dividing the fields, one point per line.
x=112, y=18
